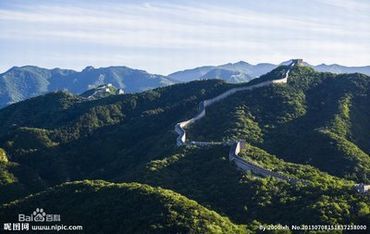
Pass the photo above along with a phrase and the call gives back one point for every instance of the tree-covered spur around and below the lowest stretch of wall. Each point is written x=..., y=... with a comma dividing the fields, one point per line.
x=205, y=175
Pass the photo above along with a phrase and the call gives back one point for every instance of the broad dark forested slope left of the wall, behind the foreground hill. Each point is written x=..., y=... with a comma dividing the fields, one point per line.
x=59, y=137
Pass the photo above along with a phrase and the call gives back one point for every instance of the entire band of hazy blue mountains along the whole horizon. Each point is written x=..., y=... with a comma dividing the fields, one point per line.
x=20, y=83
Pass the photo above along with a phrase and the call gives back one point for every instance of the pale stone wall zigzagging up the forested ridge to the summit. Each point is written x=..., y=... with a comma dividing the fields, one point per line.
x=236, y=147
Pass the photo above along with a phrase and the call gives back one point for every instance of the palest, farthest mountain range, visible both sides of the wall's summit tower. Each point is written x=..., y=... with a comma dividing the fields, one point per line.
x=244, y=72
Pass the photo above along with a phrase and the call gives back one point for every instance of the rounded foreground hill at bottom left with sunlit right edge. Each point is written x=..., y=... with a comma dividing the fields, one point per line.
x=132, y=208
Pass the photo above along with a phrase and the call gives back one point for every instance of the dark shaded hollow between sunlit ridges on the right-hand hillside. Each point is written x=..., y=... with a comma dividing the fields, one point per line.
x=301, y=140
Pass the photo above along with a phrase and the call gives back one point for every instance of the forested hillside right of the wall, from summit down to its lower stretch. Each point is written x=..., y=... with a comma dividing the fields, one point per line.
x=315, y=120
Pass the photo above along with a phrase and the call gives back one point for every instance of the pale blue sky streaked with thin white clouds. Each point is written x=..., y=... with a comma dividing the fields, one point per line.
x=166, y=36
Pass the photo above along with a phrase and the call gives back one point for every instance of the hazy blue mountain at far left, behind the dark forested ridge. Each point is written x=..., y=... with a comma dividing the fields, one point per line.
x=20, y=83
